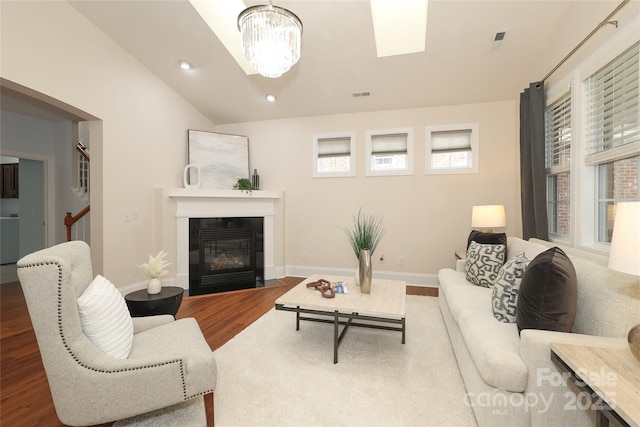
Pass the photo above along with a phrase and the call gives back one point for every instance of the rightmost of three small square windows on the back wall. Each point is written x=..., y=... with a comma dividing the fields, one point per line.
x=452, y=149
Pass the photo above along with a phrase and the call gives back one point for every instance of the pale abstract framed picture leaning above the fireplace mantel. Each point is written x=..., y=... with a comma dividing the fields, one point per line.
x=222, y=158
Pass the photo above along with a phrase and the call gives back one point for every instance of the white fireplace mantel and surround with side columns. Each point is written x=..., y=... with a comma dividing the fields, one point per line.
x=207, y=203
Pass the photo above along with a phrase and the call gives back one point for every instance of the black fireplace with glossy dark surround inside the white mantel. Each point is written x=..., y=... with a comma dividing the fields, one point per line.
x=225, y=254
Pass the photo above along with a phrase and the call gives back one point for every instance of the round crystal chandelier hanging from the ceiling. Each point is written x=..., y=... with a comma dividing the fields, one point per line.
x=270, y=39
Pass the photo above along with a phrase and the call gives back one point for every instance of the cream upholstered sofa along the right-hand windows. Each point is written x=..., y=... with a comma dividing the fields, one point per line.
x=510, y=379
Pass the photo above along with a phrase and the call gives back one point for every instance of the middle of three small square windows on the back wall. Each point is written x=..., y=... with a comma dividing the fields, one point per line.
x=390, y=152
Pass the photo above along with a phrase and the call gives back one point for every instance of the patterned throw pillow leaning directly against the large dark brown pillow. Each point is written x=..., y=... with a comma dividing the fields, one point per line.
x=505, y=290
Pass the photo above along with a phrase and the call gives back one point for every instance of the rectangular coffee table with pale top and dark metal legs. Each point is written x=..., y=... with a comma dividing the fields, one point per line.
x=384, y=306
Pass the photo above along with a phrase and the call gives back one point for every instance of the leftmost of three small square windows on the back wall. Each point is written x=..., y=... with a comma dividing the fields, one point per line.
x=334, y=154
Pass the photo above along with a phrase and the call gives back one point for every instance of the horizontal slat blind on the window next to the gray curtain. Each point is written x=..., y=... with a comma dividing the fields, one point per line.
x=557, y=123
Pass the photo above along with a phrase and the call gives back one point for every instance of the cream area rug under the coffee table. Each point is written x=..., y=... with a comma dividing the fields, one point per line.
x=271, y=374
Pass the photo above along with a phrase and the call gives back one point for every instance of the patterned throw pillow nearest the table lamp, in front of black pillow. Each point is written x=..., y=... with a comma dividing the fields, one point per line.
x=483, y=263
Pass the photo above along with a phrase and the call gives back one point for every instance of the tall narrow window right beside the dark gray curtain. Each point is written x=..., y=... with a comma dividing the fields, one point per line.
x=557, y=118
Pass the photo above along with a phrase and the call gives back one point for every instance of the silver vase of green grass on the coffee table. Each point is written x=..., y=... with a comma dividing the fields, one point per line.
x=364, y=237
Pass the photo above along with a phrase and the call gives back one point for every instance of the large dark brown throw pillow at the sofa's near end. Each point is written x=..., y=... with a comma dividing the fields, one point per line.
x=547, y=297
